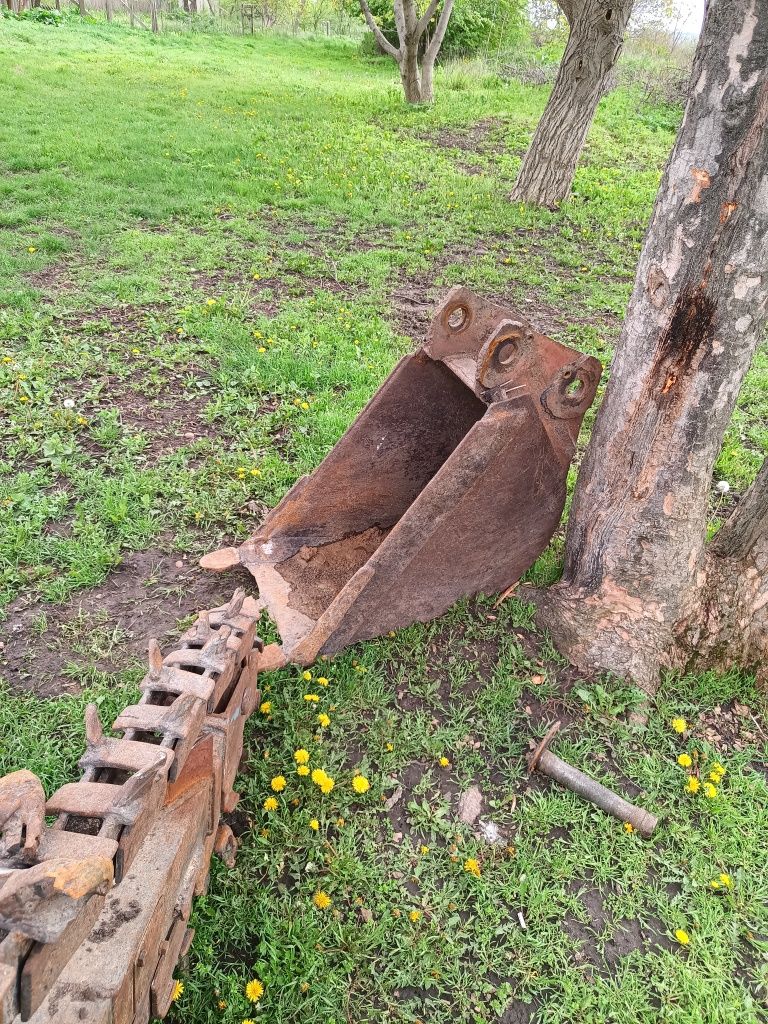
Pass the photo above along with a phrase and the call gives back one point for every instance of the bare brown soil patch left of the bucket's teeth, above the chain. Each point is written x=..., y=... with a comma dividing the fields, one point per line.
x=108, y=627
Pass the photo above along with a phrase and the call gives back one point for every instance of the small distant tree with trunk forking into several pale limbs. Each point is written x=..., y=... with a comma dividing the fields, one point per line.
x=416, y=52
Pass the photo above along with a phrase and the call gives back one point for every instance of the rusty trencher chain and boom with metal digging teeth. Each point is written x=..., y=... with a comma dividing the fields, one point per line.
x=95, y=908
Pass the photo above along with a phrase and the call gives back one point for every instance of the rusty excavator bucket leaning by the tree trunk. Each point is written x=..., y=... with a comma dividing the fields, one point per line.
x=450, y=483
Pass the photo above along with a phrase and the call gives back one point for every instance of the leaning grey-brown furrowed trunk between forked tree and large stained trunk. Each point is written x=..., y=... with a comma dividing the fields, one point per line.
x=598, y=29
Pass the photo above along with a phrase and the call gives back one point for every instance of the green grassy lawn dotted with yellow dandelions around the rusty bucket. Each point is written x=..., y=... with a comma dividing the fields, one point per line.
x=212, y=251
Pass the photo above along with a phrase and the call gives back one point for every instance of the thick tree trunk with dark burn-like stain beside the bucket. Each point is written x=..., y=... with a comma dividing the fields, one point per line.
x=637, y=565
